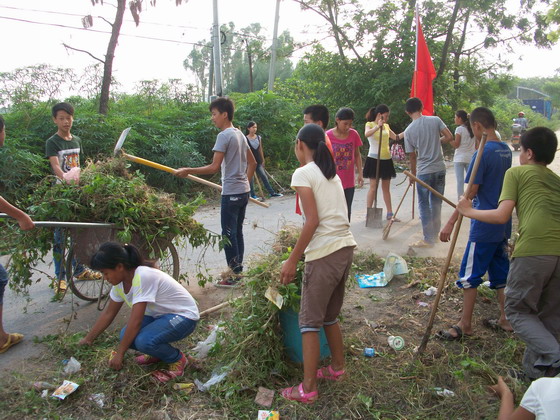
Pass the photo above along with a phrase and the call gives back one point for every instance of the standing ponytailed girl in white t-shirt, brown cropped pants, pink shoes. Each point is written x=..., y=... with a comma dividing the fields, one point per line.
x=328, y=246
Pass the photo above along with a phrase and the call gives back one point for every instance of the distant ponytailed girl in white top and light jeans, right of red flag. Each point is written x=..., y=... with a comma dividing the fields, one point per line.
x=465, y=146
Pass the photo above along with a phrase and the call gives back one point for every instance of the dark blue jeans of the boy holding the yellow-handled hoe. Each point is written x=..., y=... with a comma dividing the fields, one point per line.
x=232, y=216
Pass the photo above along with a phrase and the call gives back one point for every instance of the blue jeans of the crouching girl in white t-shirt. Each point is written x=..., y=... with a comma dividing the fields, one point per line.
x=156, y=333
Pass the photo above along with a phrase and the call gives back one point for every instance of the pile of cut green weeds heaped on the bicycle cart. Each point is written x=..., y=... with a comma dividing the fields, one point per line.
x=106, y=193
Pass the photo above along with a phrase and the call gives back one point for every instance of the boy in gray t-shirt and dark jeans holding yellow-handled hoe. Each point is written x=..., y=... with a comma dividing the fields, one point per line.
x=237, y=163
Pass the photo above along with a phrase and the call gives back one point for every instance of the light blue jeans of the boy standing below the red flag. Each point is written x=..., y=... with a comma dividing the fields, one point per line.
x=430, y=206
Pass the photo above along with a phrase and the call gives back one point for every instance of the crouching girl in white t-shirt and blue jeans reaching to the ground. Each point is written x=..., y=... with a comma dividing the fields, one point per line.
x=162, y=310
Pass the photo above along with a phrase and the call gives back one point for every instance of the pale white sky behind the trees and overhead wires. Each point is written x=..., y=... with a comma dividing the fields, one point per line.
x=33, y=32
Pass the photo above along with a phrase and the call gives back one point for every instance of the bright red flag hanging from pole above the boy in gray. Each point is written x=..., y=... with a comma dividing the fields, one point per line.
x=424, y=72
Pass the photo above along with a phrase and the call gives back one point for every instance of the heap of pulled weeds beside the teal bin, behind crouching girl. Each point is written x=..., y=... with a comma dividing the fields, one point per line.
x=250, y=343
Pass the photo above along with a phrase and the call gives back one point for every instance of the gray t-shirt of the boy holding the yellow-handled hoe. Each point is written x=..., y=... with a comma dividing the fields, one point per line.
x=232, y=143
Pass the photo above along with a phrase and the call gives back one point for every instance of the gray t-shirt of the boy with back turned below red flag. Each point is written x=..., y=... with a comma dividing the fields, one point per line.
x=423, y=135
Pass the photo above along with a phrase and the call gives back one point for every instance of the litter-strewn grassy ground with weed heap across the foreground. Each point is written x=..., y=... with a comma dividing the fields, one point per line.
x=391, y=385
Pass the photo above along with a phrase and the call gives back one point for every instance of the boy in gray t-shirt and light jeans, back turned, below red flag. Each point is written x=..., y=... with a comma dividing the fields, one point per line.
x=422, y=140
